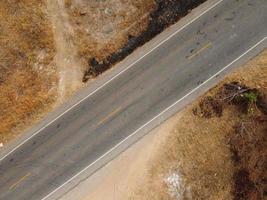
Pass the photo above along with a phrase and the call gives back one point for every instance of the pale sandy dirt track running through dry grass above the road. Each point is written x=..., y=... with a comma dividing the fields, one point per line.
x=66, y=59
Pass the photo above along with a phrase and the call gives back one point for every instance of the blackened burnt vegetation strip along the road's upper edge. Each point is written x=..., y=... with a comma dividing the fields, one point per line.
x=167, y=13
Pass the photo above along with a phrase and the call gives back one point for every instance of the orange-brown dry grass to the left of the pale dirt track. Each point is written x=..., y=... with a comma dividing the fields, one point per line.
x=27, y=75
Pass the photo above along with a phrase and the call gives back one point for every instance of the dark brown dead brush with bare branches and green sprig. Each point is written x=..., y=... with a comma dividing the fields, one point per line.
x=248, y=141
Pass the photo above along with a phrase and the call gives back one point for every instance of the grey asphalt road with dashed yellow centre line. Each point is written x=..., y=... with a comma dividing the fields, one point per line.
x=136, y=96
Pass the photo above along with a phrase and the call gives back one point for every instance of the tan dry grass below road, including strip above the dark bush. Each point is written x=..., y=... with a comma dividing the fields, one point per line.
x=199, y=148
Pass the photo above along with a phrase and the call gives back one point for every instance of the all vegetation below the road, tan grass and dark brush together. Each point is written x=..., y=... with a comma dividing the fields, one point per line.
x=219, y=145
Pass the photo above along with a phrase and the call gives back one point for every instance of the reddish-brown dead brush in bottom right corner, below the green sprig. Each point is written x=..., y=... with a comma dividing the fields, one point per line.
x=248, y=145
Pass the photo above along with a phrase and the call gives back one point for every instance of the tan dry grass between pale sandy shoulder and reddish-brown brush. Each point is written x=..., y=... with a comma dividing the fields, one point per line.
x=199, y=155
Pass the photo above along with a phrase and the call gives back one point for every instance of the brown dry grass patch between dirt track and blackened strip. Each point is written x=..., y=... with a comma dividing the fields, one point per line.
x=103, y=27
